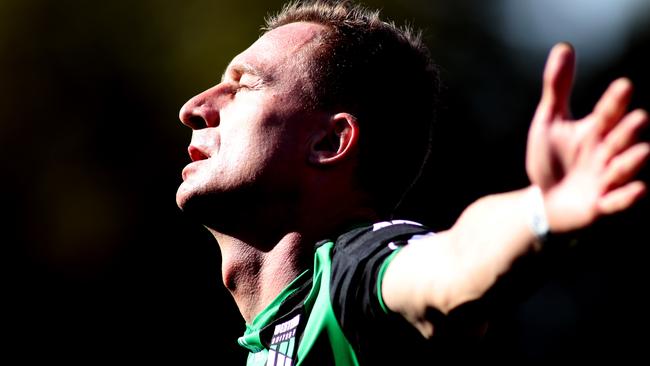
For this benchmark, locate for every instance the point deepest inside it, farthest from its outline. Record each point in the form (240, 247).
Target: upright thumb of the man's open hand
(558, 80)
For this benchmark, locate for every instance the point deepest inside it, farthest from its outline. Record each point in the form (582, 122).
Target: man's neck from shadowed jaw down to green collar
(258, 264)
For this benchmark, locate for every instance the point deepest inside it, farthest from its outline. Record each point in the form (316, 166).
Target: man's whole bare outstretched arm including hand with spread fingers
(580, 170)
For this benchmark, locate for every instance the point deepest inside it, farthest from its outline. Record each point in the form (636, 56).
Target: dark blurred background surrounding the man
(101, 266)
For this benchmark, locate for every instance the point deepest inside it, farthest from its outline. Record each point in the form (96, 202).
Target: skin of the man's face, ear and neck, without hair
(259, 177)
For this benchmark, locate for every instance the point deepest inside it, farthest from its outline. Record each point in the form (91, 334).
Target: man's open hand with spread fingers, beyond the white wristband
(584, 167)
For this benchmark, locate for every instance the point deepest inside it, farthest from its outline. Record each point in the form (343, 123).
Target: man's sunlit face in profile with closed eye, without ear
(250, 132)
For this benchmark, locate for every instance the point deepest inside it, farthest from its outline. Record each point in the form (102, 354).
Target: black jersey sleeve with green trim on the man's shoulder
(358, 260)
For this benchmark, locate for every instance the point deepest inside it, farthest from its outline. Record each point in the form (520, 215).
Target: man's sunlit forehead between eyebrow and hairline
(277, 50)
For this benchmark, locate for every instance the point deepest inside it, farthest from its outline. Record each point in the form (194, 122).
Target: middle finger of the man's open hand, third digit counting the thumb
(623, 134)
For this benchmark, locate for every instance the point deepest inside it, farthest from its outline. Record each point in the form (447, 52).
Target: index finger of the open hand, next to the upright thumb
(612, 105)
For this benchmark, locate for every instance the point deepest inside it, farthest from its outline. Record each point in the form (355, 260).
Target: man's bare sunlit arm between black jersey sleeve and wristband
(463, 264)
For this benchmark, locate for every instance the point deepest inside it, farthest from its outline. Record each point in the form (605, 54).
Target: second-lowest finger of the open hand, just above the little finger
(626, 165)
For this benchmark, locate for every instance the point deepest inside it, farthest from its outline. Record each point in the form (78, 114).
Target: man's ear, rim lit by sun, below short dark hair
(336, 141)
